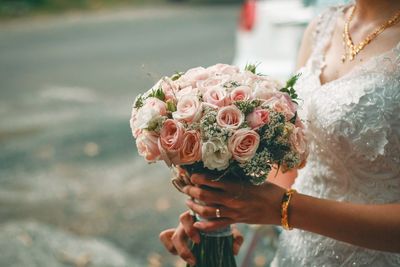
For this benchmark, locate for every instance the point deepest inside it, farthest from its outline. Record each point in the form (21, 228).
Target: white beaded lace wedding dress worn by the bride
(353, 125)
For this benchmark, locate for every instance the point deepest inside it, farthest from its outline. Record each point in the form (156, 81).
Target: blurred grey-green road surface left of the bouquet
(67, 160)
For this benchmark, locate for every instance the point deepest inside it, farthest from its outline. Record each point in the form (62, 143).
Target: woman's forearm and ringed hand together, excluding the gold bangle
(371, 226)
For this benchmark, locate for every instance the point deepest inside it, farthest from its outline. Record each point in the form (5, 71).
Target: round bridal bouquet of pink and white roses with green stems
(226, 123)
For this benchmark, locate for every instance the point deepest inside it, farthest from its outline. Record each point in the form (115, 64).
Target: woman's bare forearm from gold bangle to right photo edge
(370, 226)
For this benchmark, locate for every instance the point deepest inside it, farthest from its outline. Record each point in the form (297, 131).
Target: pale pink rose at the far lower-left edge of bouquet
(147, 144)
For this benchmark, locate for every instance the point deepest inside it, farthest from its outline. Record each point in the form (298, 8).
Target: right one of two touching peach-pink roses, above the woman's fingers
(190, 151)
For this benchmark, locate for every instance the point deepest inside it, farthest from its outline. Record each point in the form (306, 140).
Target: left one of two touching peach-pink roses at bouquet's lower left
(170, 141)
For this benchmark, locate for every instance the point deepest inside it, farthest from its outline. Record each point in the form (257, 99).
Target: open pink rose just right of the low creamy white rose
(243, 144)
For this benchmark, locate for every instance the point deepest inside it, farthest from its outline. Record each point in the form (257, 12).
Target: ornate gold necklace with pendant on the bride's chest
(351, 50)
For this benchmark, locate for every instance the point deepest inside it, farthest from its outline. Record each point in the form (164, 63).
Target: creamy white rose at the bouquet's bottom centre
(215, 154)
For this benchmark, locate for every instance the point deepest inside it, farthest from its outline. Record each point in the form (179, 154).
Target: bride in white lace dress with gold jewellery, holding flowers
(344, 205)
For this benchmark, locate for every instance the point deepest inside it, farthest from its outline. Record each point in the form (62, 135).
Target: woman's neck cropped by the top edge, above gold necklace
(374, 10)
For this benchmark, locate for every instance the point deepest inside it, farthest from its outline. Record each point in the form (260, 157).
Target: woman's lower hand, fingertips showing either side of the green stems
(175, 240)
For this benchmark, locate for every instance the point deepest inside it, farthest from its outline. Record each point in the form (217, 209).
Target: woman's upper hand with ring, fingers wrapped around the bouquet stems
(236, 202)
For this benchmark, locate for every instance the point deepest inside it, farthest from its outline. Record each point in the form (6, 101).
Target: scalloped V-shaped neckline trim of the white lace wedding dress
(353, 70)
